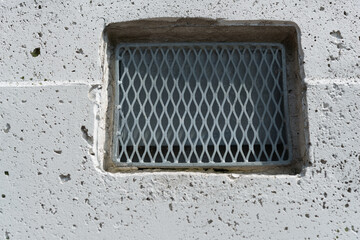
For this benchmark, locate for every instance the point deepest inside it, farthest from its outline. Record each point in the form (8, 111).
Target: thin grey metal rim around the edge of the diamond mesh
(199, 165)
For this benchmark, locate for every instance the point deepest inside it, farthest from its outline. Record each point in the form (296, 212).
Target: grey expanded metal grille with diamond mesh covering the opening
(201, 104)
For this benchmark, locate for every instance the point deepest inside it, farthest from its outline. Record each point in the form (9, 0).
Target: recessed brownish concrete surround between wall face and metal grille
(205, 30)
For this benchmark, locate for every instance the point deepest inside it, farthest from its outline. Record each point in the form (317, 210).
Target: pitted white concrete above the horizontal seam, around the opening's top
(68, 34)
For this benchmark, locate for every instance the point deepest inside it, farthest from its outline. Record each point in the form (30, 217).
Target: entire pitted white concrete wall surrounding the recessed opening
(53, 187)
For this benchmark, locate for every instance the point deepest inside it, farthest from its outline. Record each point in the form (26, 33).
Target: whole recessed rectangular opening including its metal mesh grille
(203, 93)
